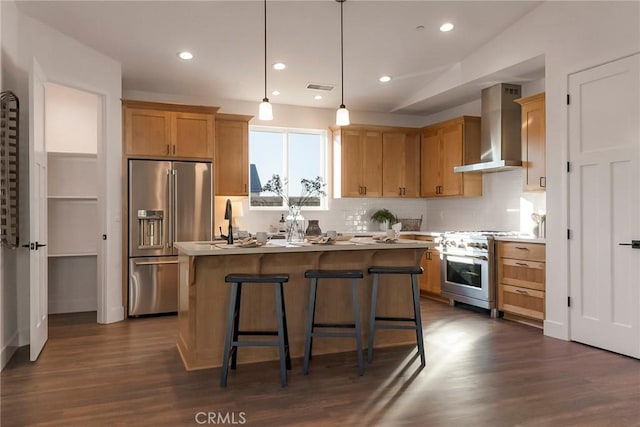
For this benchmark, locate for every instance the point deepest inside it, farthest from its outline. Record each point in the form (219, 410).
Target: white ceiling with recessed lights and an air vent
(227, 39)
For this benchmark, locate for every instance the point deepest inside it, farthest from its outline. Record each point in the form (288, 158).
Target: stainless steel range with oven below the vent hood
(468, 268)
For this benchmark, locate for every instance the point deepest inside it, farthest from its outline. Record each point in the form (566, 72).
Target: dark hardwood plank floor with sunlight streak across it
(480, 372)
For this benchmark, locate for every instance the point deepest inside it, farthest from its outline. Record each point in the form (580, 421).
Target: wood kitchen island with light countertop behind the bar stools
(203, 295)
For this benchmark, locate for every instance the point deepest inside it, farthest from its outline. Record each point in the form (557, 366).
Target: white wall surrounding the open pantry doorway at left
(69, 63)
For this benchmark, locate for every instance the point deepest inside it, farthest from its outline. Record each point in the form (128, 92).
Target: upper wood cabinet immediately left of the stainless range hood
(445, 145)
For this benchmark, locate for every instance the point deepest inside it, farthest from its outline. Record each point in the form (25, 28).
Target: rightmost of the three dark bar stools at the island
(416, 319)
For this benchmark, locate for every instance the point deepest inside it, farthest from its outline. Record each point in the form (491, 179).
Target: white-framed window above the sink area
(292, 154)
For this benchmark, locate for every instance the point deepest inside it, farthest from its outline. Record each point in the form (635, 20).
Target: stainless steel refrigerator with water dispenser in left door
(168, 202)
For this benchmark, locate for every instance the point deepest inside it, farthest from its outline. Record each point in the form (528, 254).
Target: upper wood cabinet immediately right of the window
(361, 160)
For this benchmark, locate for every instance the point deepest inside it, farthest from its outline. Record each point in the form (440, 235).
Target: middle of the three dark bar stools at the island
(314, 275)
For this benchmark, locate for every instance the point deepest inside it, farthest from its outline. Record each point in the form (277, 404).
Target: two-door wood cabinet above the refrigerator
(168, 130)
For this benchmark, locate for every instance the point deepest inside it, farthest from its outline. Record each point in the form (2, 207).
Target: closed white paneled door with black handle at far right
(604, 186)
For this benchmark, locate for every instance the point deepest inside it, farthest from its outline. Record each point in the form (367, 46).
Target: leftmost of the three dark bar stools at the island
(232, 343)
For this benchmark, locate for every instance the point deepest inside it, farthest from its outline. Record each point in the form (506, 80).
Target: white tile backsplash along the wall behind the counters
(502, 207)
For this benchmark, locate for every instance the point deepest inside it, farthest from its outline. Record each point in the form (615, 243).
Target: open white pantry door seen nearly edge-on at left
(37, 214)
